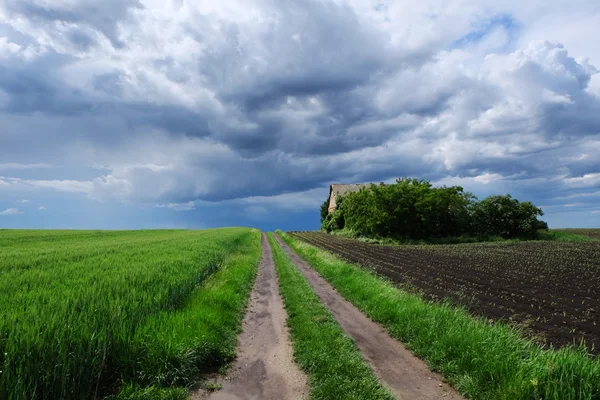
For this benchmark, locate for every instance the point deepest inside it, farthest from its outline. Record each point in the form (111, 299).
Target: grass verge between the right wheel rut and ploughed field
(482, 360)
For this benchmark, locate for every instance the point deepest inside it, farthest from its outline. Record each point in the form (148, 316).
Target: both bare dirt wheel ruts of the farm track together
(264, 368)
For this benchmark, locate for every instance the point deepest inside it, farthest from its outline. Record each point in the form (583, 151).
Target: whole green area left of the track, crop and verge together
(82, 312)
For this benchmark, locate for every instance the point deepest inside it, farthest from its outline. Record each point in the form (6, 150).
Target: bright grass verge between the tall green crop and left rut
(174, 347)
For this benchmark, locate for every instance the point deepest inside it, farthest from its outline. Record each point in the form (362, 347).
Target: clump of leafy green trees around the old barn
(415, 209)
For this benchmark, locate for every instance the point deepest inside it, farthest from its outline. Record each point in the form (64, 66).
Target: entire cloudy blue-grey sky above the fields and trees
(131, 114)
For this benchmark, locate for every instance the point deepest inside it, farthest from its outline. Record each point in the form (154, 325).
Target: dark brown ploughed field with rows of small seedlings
(552, 287)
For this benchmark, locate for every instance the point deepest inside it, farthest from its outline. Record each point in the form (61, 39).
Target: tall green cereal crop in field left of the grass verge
(73, 303)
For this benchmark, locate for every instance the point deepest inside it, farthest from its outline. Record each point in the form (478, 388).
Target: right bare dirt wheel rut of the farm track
(405, 375)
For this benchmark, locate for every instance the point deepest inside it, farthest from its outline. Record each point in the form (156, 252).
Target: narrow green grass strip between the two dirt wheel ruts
(335, 367)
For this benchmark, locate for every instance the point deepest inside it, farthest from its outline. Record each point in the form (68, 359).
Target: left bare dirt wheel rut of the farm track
(264, 368)
